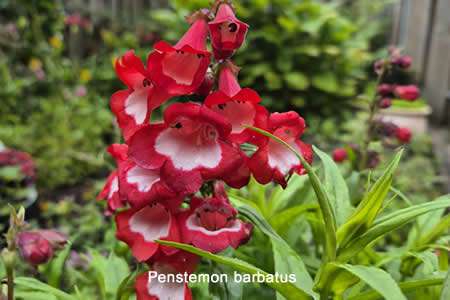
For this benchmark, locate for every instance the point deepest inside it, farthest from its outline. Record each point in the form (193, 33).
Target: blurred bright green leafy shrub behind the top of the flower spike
(299, 54)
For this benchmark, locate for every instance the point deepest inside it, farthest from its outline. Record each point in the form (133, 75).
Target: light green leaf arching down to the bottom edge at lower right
(377, 279)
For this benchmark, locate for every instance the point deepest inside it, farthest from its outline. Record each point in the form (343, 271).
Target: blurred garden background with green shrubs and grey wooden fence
(315, 57)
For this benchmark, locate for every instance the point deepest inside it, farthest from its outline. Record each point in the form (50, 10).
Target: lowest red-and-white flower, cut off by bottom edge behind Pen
(149, 287)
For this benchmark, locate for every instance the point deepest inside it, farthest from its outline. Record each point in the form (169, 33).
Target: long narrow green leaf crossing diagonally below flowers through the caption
(288, 290)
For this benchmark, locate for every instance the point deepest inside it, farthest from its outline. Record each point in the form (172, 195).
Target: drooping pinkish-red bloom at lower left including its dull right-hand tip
(37, 247)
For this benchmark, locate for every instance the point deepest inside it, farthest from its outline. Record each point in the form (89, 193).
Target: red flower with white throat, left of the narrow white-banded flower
(139, 228)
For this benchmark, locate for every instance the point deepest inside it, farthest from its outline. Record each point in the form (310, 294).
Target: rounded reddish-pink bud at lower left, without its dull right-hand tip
(34, 248)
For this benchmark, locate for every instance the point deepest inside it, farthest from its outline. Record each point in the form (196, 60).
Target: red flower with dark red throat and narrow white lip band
(211, 224)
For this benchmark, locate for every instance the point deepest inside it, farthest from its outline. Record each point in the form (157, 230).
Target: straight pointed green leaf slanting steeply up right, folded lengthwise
(368, 209)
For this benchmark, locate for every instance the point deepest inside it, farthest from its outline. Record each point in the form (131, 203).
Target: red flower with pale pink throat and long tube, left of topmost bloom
(180, 69)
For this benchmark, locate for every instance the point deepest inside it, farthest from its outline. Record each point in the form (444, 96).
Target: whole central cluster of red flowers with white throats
(169, 181)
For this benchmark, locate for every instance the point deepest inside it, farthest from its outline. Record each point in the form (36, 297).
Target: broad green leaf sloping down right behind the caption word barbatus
(287, 261)
